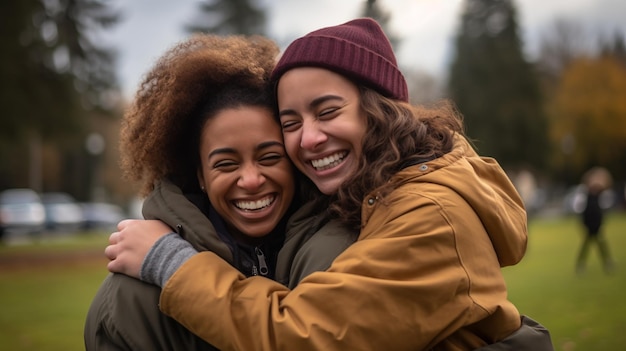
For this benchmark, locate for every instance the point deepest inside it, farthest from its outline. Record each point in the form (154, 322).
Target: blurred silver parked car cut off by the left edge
(21, 210)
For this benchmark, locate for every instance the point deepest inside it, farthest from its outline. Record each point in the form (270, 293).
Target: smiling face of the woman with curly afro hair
(245, 171)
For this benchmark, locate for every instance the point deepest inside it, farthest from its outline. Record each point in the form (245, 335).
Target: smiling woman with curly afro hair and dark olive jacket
(202, 140)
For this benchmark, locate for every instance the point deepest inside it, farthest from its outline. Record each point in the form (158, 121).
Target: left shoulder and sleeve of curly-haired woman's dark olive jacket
(124, 314)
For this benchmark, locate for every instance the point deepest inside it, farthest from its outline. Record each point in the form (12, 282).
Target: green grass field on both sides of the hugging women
(43, 304)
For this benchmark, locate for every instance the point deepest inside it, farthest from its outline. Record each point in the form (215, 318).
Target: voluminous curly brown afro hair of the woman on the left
(160, 132)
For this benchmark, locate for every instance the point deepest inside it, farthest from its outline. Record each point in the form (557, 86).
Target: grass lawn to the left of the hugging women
(45, 291)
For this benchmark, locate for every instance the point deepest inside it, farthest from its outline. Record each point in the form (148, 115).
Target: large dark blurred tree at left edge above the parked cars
(56, 74)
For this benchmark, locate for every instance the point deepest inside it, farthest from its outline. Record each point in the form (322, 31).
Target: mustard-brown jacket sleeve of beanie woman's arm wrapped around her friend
(401, 286)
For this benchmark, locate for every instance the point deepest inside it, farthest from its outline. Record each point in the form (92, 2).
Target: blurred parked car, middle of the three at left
(62, 212)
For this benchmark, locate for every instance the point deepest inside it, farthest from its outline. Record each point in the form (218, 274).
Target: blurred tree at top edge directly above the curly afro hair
(225, 17)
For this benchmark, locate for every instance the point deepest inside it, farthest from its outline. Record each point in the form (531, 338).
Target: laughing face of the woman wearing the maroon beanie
(323, 125)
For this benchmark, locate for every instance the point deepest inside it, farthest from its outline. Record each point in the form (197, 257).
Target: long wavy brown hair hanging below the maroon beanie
(398, 134)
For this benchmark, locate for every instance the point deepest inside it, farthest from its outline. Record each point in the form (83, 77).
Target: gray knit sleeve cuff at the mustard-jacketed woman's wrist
(164, 258)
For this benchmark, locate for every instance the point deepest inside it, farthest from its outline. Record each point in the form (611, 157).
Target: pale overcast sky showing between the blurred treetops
(426, 27)
